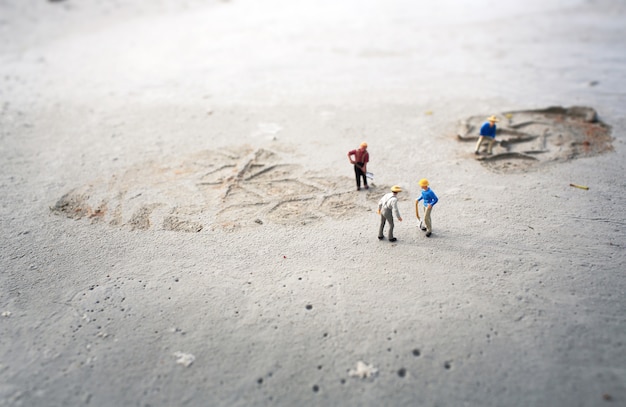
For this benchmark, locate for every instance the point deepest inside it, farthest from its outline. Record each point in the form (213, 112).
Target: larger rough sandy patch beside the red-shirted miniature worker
(241, 187)
